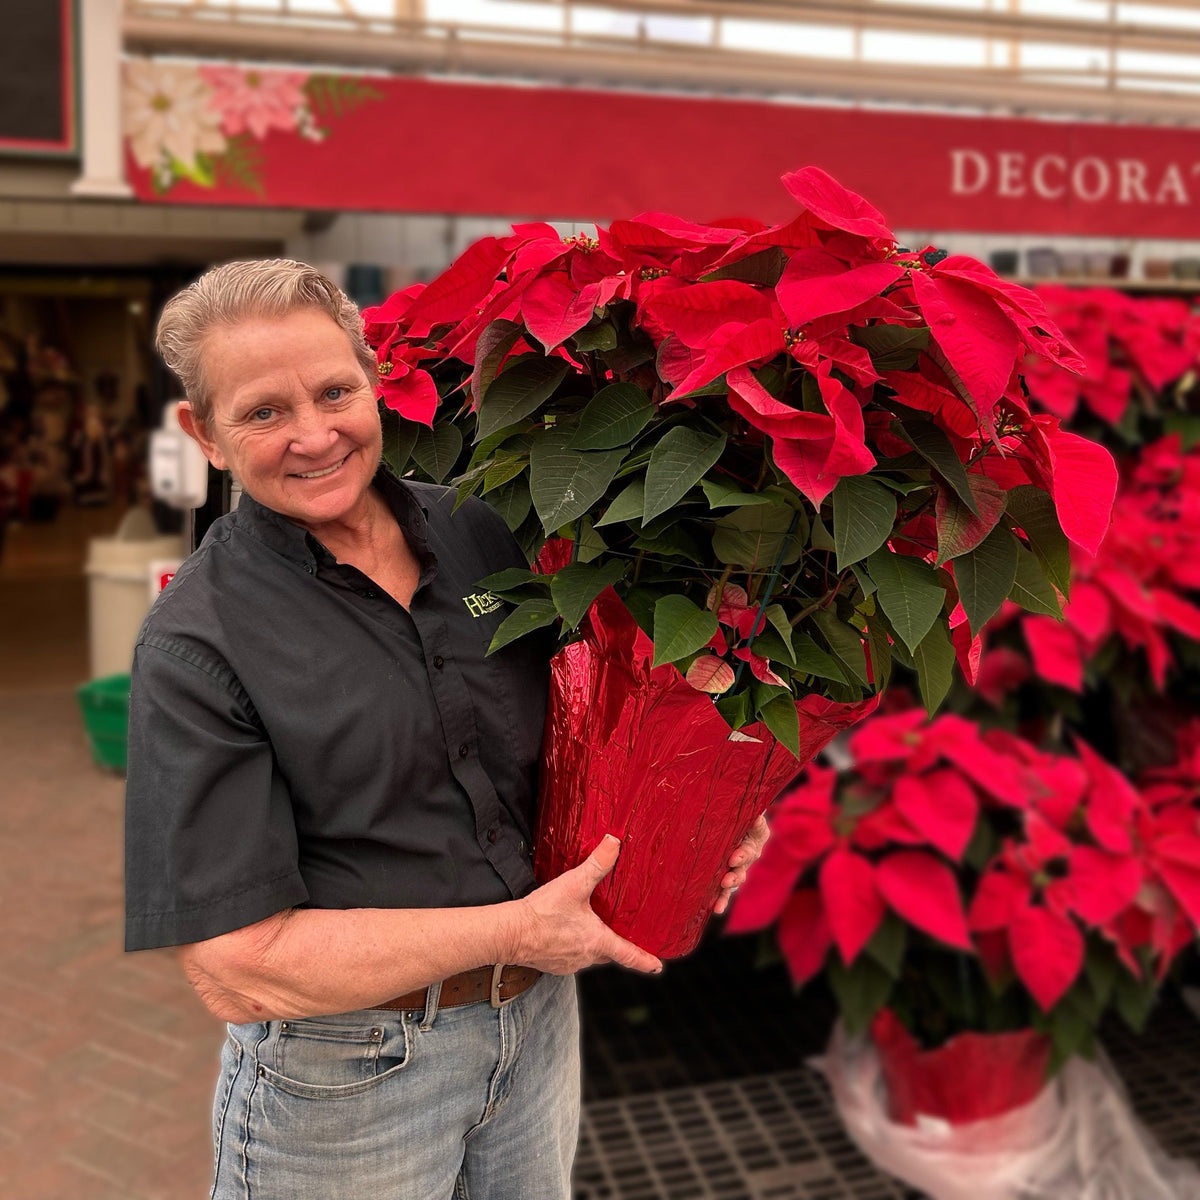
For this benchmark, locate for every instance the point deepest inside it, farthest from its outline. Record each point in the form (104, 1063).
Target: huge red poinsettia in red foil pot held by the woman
(752, 467)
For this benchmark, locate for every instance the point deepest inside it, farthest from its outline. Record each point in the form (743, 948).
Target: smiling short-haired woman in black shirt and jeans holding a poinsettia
(331, 790)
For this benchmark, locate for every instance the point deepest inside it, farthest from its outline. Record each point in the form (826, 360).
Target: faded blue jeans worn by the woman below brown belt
(472, 1103)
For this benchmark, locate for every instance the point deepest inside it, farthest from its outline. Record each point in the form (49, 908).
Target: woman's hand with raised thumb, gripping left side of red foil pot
(557, 932)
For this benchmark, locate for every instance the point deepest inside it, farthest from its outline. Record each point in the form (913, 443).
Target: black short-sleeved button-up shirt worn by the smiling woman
(297, 739)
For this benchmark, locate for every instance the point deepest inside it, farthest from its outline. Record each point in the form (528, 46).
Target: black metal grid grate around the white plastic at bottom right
(776, 1137)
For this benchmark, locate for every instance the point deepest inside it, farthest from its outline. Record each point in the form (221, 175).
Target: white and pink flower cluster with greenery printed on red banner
(207, 124)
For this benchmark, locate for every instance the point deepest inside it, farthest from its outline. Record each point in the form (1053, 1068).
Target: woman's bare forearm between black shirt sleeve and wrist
(316, 962)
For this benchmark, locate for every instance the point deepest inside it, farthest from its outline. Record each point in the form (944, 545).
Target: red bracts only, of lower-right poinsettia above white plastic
(1090, 853)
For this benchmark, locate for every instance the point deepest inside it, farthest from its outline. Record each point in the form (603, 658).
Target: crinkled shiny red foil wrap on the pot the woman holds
(637, 752)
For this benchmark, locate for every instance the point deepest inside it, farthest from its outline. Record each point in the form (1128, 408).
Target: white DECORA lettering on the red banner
(1013, 175)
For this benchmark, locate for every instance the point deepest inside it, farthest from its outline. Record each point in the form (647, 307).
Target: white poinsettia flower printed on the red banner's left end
(167, 115)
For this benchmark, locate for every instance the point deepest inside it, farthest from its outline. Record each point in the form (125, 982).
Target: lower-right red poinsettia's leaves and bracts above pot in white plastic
(970, 881)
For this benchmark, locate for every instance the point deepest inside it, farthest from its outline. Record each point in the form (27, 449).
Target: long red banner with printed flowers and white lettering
(295, 140)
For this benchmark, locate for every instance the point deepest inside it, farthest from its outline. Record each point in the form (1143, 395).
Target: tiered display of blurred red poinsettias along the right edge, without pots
(1033, 856)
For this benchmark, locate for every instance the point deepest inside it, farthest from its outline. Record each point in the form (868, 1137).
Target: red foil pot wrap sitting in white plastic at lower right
(970, 1078)
